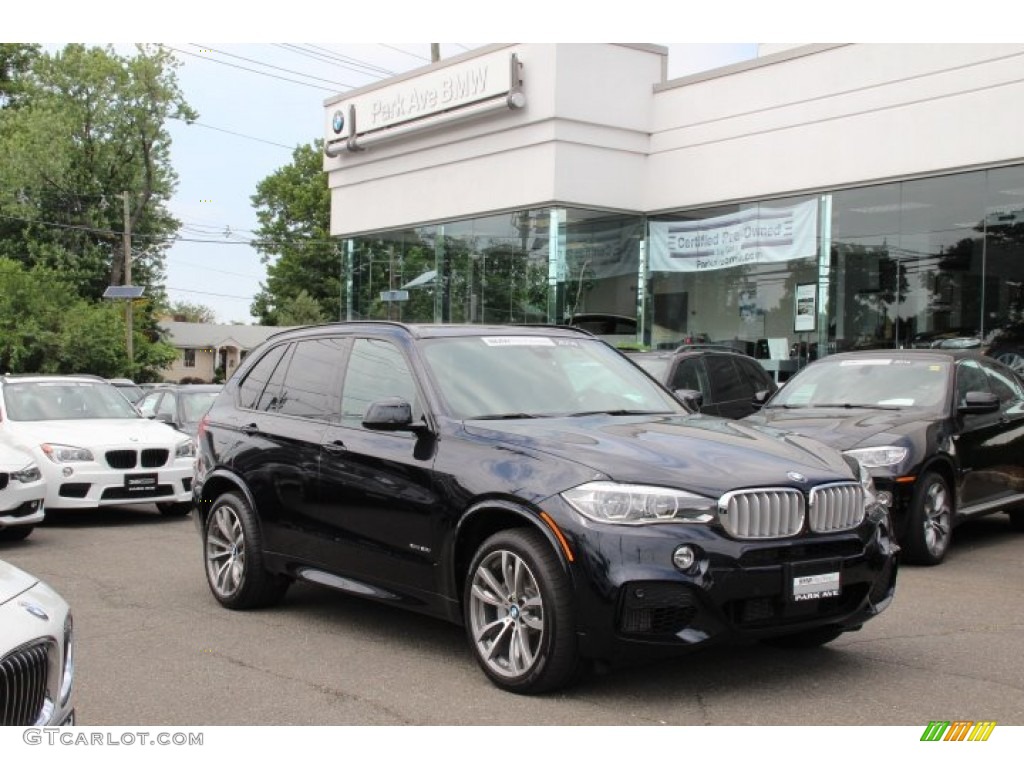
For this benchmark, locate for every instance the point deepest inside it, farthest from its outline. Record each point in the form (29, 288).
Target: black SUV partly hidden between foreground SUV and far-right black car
(715, 380)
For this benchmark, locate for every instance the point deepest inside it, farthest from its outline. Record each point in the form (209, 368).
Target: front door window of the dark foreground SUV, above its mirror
(376, 370)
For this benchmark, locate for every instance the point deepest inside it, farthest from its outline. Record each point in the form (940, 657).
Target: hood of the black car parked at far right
(844, 429)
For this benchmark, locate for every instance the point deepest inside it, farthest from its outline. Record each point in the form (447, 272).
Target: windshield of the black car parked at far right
(880, 382)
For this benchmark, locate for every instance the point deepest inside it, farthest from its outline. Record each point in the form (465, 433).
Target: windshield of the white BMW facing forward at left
(54, 401)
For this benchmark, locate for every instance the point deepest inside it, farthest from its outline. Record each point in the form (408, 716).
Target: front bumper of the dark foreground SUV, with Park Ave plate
(632, 600)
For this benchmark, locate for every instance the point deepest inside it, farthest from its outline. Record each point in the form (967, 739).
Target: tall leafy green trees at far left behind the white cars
(78, 129)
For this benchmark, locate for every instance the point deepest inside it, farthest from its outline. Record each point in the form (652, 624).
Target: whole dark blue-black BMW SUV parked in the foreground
(534, 486)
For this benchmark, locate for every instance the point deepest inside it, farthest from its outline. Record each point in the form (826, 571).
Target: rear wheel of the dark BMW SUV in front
(233, 551)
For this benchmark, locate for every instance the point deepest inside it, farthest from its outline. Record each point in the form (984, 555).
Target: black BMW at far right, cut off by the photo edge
(941, 431)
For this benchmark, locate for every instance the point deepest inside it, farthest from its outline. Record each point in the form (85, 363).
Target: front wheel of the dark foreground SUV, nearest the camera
(525, 643)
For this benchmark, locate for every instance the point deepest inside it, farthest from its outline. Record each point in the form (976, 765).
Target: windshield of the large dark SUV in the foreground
(511, 376)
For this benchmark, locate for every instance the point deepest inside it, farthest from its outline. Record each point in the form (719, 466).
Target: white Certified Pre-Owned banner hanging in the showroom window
(753, 237)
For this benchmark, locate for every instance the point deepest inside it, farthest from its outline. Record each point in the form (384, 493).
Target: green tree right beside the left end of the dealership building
(293, 237)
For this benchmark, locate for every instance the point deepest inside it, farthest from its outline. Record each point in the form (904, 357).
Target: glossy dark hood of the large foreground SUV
(702, 454)
